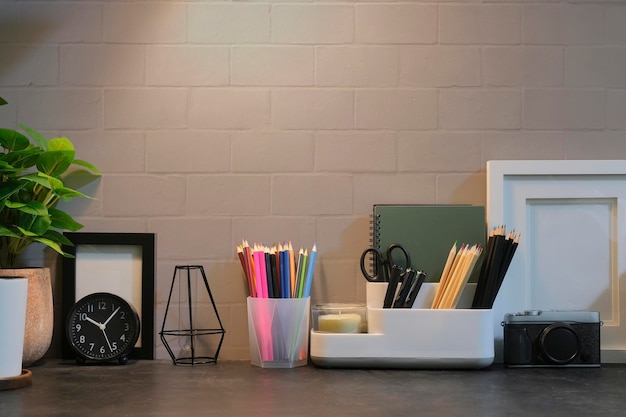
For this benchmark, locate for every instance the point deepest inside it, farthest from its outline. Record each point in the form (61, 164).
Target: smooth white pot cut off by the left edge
(13, 292)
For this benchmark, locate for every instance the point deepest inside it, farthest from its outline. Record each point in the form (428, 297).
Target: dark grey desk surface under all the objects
(158, 388)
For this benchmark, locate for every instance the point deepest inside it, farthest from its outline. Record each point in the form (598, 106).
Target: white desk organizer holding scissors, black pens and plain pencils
(411, 338)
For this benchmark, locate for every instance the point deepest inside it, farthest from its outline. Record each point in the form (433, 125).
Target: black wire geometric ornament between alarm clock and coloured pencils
(199, 345)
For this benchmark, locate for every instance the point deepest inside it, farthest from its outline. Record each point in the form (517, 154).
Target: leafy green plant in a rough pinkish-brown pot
(32, 173)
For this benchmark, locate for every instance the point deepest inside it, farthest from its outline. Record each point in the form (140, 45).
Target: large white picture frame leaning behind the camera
(572, 253)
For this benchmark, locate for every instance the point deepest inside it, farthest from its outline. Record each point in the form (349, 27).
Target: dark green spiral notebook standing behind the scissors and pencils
(428, 232)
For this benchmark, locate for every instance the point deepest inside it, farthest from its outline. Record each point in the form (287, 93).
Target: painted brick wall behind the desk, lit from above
(286, 120)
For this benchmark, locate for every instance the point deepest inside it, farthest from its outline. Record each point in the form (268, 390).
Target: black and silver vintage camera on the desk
(556, 338)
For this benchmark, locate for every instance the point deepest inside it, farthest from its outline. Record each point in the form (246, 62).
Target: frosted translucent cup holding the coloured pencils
(279, 331)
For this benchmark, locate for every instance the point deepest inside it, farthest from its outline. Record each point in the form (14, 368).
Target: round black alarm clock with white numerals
(102, 327)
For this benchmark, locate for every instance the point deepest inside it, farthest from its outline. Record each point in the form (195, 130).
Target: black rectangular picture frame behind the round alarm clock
(139, 244)
